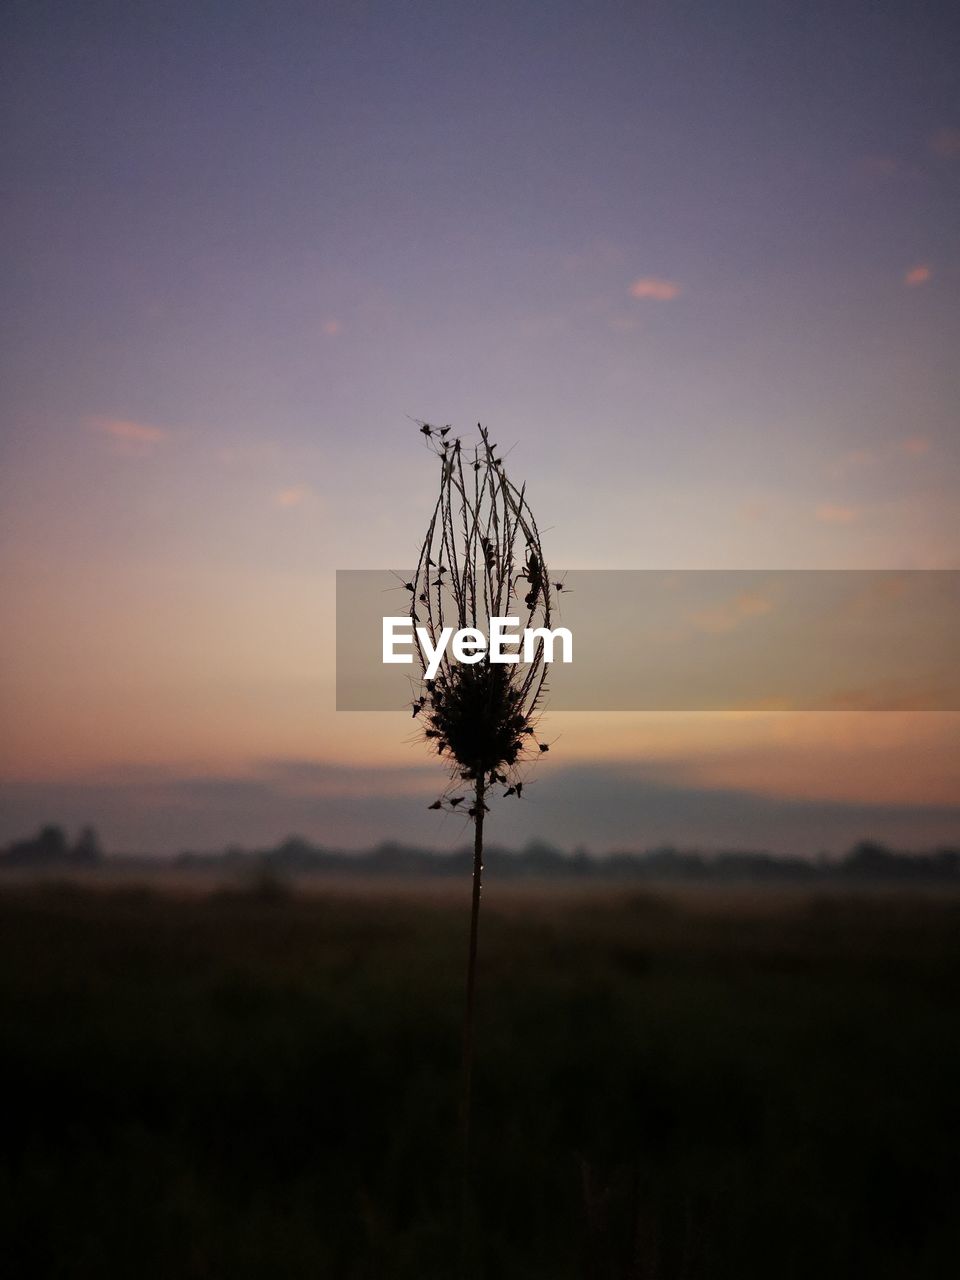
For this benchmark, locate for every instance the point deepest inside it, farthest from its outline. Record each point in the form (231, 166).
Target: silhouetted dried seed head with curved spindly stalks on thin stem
(481, 559)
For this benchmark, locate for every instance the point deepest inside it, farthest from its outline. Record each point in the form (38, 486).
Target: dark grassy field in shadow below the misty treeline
(259, 1085)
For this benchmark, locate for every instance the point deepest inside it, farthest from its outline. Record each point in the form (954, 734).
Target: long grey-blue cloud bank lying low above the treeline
(627, 806)
